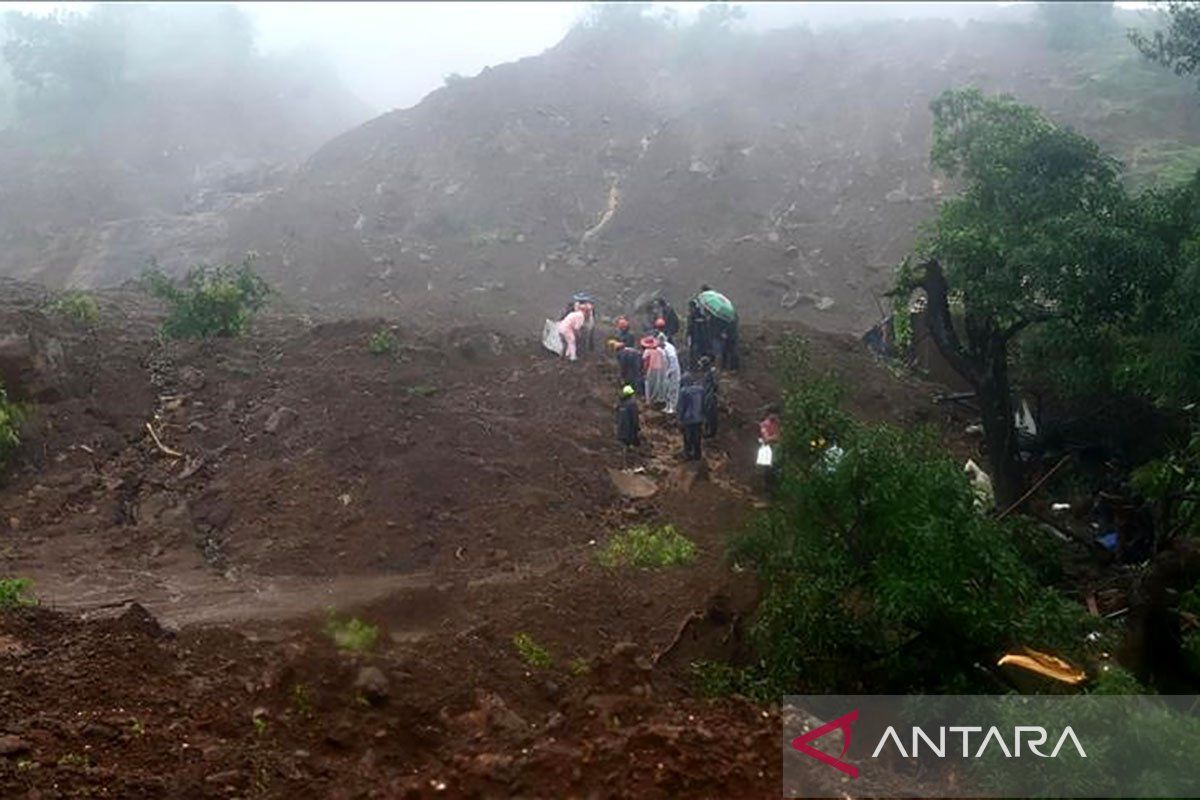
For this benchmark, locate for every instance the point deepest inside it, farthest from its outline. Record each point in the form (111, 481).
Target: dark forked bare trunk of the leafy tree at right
(983, 363)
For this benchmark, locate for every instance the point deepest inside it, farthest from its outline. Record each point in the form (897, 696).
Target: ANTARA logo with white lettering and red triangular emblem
(1033, 737)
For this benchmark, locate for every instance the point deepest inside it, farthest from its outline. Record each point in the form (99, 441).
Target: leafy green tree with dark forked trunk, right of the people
(1042, 232)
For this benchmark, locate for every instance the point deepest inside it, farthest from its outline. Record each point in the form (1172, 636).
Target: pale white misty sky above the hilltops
(392, 55)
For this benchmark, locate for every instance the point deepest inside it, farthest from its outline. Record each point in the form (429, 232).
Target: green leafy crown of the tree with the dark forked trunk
(1043, 228)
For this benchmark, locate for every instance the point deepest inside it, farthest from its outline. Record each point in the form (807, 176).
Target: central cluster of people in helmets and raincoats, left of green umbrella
(650, 368)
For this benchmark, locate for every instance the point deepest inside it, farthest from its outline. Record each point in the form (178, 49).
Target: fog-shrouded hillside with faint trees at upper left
(134, 125)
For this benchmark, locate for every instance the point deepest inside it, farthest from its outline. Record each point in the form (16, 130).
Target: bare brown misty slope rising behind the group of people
(788, 167)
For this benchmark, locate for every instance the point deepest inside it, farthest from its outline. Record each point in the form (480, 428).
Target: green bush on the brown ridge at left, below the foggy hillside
(211, 300)
